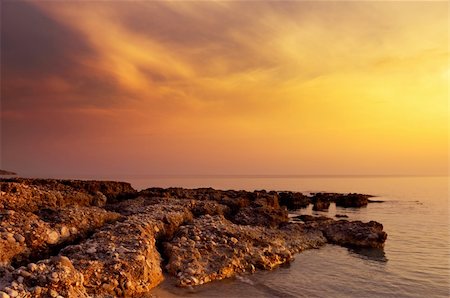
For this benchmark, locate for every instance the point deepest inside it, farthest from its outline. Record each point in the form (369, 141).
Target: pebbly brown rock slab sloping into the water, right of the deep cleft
(212, 248)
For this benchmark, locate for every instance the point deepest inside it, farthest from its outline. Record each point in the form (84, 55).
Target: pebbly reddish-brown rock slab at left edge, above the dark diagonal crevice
(27, 236)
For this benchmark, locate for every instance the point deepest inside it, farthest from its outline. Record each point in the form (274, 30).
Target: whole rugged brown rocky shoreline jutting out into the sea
(72, 238)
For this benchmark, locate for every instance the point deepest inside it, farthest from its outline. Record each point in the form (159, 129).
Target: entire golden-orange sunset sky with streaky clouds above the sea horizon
(224, 87)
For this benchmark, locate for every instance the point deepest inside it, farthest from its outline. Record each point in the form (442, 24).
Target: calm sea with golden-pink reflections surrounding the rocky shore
(414, 262)
